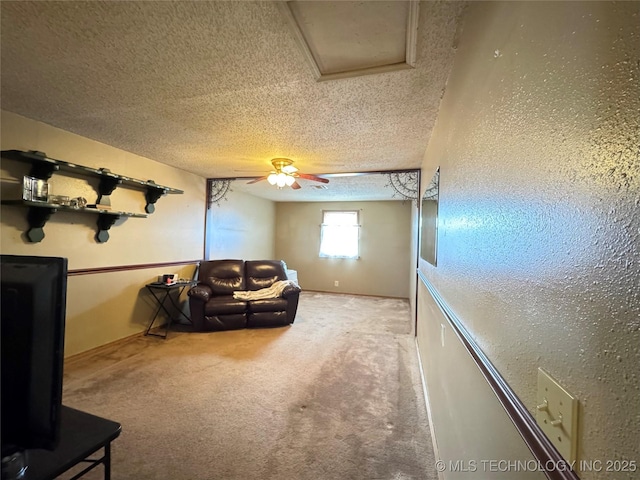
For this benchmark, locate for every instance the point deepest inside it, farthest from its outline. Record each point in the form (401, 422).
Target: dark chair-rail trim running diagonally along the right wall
(537, 442)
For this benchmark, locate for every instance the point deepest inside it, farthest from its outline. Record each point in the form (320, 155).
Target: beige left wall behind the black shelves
(104, 307)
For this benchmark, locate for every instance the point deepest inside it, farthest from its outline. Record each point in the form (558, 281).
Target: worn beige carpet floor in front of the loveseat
(337, 395)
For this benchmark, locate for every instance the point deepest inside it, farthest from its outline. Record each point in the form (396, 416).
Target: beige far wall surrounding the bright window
(386, 247)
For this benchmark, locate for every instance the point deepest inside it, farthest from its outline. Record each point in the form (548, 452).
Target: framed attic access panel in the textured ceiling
(346, 39)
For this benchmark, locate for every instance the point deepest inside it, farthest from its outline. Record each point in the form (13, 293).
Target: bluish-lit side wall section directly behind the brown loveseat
(242, 226)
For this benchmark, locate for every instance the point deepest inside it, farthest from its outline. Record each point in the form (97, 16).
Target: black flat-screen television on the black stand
(33, 300)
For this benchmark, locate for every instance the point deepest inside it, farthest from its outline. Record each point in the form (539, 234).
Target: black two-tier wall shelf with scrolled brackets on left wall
(43, 167)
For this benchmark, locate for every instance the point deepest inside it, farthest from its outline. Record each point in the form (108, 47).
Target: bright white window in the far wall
(339, 234)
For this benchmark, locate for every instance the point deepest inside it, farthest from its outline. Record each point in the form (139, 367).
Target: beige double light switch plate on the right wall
(557, 415)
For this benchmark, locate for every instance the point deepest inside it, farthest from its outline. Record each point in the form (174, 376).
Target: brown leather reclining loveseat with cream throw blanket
(214, 306)
